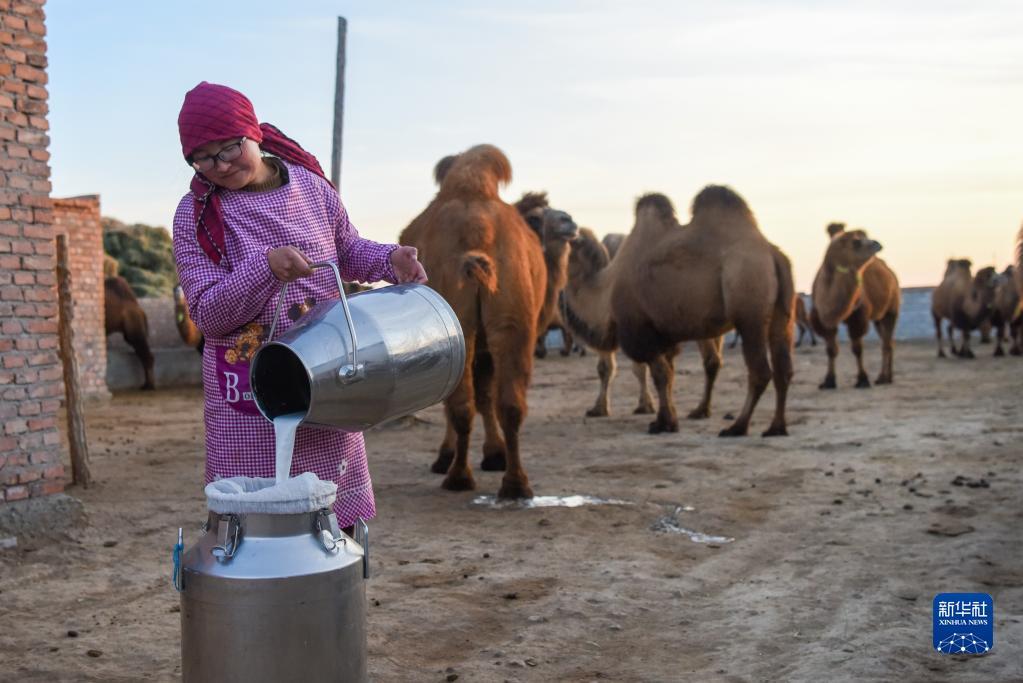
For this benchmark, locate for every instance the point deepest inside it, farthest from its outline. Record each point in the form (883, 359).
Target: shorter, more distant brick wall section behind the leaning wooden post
(79, 219)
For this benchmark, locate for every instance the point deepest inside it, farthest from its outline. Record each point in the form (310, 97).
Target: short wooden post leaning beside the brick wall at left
(73, 393)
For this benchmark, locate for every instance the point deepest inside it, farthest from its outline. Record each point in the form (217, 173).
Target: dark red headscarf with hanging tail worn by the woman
(213, 113)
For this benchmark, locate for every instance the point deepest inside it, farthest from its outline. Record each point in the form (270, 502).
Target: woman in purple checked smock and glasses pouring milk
(258, 214)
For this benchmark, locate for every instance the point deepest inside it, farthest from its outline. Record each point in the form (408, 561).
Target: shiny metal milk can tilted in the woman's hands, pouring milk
(352, 363)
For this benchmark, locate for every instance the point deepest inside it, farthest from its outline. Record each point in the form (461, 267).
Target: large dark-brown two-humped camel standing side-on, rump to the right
(722, 272)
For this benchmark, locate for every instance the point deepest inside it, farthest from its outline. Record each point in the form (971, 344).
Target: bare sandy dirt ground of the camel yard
(842, 534)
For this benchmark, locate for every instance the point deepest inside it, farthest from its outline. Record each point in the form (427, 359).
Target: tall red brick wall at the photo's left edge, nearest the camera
(31, 384)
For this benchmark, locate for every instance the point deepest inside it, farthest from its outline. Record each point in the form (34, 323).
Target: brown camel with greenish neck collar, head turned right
(856, 288)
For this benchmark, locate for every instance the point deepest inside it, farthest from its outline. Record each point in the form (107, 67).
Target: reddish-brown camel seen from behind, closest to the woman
(488, 265)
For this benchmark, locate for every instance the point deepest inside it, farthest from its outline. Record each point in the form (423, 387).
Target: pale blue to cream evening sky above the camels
(901, 118)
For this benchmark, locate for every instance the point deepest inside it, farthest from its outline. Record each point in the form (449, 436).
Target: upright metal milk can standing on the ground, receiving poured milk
(269, 599)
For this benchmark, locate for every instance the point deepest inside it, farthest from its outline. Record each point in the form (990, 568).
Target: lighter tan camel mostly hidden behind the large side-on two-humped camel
(590, 258)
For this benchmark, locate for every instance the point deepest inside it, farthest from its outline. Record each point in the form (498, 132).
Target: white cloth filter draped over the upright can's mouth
(244, 495)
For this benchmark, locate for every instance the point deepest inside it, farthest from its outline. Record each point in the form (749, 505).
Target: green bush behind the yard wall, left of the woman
(145, 256)
